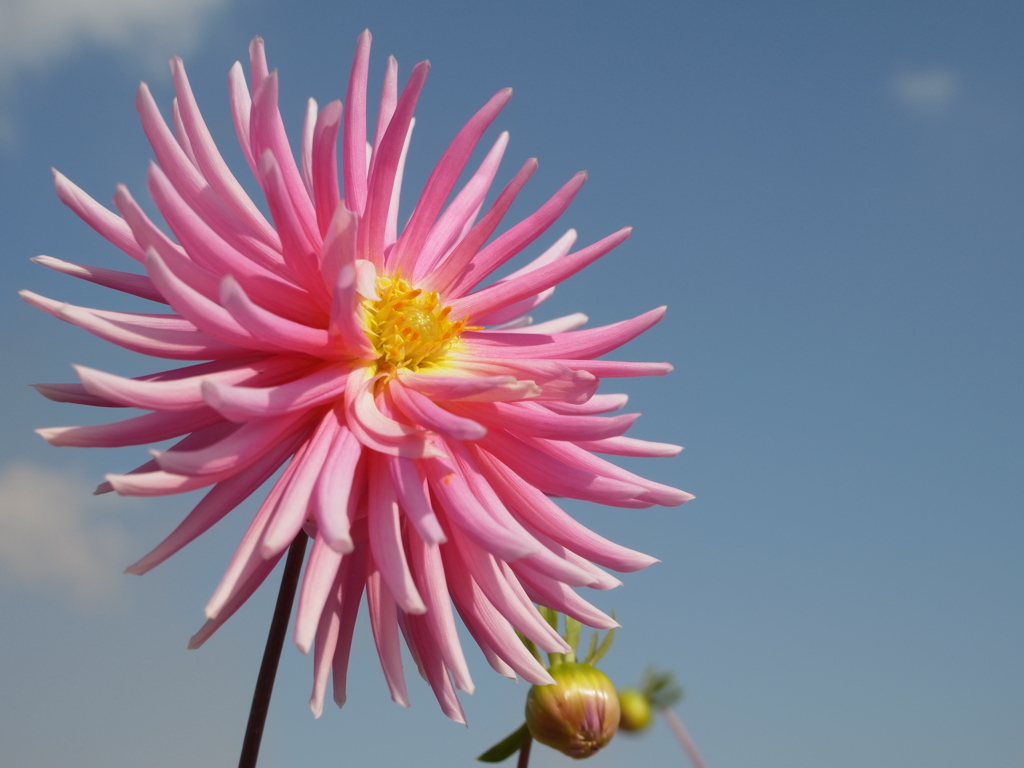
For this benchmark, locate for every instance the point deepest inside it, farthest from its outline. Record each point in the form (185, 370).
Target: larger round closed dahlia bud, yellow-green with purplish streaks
(578, 715)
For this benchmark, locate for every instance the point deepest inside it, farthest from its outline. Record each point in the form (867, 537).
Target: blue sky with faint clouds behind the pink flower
(828, 197)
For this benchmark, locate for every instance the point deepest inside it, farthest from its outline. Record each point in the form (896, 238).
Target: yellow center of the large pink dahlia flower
(409, 328)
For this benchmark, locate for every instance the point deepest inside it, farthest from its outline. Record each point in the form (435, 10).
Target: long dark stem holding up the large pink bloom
(272, 655)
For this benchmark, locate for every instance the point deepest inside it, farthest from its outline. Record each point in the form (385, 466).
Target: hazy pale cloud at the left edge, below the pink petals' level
(50, 535)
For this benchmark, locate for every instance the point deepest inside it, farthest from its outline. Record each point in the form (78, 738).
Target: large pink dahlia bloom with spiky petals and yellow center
(423, 423)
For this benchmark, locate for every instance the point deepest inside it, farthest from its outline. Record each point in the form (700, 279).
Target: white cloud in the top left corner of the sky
(36, 34)
